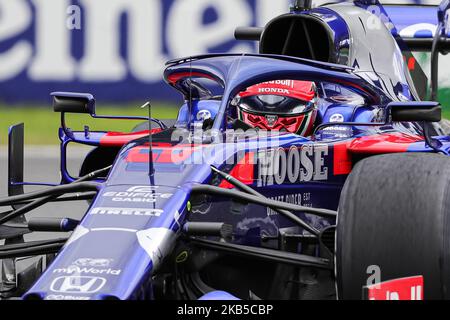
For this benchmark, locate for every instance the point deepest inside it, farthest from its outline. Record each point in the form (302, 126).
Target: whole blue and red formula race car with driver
(313, 170)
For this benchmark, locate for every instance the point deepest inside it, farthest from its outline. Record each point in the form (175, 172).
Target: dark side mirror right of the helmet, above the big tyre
(428, 111)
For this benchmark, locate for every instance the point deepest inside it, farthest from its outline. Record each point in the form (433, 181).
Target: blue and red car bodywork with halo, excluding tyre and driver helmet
(152, 219)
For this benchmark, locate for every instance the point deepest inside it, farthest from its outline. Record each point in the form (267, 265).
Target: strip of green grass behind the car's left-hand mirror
(41, 123)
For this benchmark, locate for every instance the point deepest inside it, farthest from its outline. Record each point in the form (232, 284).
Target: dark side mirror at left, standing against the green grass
(73, 102)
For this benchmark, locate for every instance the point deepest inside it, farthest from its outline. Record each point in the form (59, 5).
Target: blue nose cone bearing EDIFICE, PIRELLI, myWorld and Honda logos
(121, 241)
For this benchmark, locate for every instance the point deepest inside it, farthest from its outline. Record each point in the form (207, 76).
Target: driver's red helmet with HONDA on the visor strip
(281, 105)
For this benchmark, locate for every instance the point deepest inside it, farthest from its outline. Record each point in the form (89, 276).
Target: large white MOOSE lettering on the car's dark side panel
(297, 164)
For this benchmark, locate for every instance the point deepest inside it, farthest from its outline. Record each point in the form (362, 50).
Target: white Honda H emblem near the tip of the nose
(77, 284)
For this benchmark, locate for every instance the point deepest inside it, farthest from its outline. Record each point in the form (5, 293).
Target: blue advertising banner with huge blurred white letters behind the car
(116, 49)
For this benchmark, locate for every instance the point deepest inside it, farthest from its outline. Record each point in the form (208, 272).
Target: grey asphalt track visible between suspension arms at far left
(42, 165)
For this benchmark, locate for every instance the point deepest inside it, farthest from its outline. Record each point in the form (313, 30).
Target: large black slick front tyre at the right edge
(394, 213)
